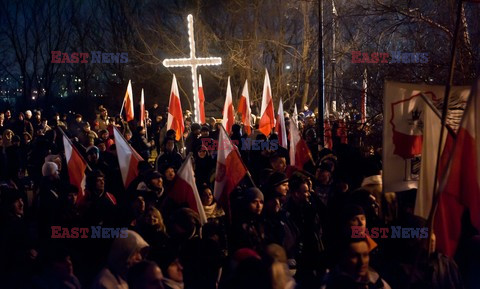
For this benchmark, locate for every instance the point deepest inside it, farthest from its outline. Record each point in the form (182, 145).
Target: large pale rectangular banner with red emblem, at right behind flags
(403, 130)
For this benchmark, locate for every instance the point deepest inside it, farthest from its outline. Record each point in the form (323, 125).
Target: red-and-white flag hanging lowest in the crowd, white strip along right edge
(184, 189)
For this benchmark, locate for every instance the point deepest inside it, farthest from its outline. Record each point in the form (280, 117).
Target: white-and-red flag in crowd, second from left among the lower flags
(128, 158)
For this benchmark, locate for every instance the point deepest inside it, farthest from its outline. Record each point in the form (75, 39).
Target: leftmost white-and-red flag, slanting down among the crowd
(76, 167)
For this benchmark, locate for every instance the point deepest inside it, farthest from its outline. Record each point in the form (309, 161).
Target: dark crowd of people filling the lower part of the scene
(280, 229)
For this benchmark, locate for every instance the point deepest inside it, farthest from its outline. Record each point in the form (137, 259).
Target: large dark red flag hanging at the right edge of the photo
(460, 181)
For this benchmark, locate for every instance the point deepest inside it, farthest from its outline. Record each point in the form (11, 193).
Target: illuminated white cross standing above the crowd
(193, 62)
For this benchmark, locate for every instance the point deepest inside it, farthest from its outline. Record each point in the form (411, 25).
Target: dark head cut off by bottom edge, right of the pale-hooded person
(145, 275)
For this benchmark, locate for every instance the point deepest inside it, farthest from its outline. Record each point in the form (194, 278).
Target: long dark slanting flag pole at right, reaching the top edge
(444, 119)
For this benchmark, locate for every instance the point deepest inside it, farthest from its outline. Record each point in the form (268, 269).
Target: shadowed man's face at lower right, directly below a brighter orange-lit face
(357, 259)
